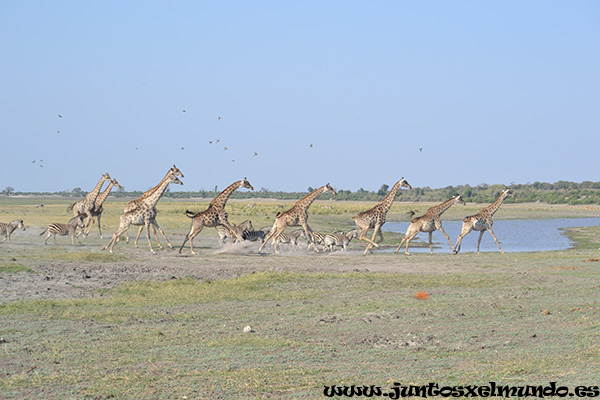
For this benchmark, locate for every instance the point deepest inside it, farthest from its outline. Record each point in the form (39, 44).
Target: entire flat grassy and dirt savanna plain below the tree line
(80, 323)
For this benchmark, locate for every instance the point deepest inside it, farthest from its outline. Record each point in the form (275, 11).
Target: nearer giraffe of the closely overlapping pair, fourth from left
(144, 214)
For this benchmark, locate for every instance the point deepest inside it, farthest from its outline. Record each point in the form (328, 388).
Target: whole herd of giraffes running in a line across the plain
(142, 212)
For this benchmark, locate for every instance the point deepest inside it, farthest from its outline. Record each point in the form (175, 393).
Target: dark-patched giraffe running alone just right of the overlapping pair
(214, 215)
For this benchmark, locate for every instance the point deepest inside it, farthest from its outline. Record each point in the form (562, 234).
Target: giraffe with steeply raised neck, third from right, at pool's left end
(375, 217)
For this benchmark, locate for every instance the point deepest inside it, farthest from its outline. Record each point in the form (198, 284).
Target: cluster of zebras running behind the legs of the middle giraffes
(327, 241)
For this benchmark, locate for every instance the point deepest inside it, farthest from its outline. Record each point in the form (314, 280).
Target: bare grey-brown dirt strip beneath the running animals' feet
(71, 272)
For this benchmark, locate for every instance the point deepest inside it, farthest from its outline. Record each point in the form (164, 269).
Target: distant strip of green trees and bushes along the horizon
(561, 192)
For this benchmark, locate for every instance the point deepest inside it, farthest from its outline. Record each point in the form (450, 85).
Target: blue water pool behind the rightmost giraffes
(515, 235)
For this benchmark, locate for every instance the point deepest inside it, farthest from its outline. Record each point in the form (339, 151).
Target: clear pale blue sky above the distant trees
(492, 91)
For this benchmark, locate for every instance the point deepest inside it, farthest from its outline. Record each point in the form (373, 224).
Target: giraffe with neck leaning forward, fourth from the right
(296, 216)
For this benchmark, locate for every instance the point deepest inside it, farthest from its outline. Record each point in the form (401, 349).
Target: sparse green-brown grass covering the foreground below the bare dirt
(184, 337)
